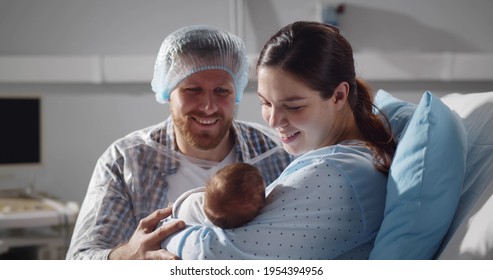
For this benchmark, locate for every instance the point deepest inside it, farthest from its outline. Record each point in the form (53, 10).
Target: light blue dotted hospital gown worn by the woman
(327, 204)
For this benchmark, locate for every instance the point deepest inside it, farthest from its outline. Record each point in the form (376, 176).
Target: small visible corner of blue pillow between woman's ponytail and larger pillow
(398, 112)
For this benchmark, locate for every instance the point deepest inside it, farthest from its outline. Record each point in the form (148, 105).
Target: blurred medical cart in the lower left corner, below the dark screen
(34, 226)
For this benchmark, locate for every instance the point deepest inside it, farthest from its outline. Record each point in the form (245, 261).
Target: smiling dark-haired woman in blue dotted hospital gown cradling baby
(329, 202)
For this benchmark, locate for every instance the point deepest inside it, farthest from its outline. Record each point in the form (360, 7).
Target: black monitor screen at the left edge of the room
(20, 140)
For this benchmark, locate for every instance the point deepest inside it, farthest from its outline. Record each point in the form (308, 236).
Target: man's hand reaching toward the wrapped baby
(145, 242)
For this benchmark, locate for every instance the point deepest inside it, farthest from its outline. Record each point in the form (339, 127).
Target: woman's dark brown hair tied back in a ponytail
(319, 56)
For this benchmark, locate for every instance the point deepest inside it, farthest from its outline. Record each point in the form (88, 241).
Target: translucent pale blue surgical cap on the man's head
(195, 48)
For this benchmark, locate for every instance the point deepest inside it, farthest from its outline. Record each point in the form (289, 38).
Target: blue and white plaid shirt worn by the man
(130, 182)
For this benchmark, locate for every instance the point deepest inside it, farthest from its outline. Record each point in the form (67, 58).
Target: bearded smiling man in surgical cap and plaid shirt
(201, 72)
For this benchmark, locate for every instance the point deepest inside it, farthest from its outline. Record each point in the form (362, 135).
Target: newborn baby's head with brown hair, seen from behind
(234, 195)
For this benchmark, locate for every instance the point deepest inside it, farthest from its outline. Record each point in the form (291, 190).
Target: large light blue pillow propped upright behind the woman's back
(424, 183)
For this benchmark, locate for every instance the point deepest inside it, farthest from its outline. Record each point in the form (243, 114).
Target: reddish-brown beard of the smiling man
(202, 140)
